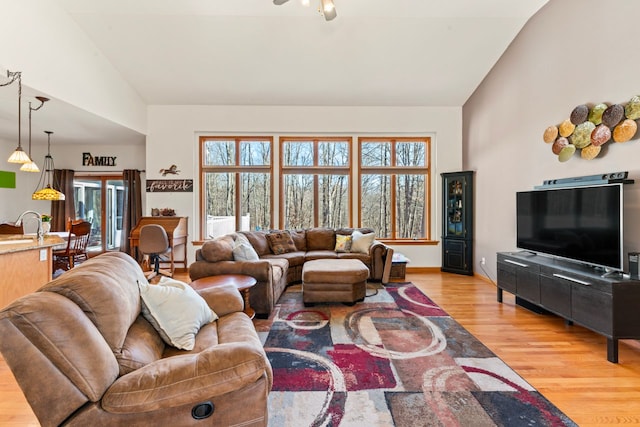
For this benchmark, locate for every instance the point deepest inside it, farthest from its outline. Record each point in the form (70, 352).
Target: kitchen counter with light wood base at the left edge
(25, 264)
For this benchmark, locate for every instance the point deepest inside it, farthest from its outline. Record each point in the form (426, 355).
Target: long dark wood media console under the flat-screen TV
(608, 305)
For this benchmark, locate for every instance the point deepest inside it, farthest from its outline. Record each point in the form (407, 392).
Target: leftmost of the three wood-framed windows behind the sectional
(236, 185)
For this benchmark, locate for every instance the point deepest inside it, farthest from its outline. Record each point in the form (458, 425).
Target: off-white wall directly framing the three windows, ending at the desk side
(174, 131)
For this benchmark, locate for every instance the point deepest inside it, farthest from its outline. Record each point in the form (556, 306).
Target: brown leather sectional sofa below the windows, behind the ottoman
(274, 272)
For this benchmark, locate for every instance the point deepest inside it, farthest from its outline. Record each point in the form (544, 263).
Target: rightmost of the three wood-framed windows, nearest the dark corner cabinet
(394, 187)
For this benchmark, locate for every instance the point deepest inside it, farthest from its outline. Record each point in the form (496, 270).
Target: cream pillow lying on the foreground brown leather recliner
(175, 310)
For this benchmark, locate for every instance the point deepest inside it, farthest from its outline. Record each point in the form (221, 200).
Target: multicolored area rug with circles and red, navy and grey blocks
(394, 359)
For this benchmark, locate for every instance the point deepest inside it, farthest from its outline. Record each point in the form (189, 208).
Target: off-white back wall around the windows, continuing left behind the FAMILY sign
(173, 139)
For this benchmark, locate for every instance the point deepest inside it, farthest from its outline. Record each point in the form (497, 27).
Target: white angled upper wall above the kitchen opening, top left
(40, 39)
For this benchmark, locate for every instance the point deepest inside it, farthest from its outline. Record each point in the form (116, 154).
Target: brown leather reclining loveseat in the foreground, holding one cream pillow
(84, 355)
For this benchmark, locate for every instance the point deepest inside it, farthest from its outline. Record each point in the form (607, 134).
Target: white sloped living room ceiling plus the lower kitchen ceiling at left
(252, 52)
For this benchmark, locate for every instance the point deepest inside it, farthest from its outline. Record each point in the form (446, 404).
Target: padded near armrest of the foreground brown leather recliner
(189, 378)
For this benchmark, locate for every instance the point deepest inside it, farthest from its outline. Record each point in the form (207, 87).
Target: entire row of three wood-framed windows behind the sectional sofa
(385, 187)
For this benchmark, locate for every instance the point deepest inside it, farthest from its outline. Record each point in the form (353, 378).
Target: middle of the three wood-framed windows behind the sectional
(315, 186)
